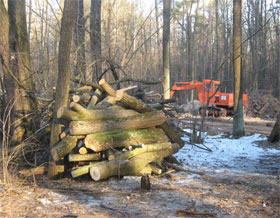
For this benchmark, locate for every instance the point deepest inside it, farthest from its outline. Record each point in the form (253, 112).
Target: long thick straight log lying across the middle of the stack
(138, 121)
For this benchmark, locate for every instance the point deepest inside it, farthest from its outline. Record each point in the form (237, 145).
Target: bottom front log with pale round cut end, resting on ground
(132, 167)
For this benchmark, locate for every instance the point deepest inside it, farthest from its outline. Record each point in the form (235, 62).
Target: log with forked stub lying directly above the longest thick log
(82, 113)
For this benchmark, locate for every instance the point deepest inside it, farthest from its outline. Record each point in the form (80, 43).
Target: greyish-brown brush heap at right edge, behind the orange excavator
(263, 104)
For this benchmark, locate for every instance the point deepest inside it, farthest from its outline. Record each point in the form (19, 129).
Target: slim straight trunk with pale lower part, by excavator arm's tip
(166, 48)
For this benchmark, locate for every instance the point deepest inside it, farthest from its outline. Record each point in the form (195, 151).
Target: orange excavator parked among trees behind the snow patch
(220, 104)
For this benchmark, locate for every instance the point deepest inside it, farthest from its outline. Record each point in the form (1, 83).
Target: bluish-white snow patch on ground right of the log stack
(238, 154)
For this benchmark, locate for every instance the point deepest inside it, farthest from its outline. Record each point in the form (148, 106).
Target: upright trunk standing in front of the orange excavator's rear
(238, 122)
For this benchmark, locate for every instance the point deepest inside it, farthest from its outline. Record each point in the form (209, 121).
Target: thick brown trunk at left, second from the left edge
(25, 103)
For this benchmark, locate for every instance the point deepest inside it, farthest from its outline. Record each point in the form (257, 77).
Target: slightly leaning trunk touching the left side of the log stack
(63, 82)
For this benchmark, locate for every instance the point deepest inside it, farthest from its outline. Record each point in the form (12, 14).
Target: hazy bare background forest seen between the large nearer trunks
(131, 37)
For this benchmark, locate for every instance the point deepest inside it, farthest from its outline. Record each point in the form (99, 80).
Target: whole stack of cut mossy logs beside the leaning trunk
(114, 135)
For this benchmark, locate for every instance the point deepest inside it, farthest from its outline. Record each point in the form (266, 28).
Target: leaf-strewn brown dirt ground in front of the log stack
(225, 192)
